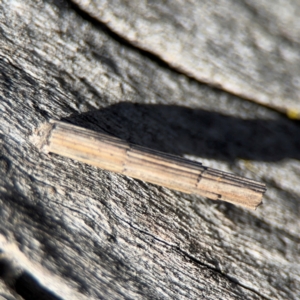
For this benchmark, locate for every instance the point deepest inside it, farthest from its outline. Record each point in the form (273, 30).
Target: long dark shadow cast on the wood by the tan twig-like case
(180, 130)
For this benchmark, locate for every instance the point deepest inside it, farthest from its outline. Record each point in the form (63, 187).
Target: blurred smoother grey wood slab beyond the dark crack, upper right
(248, 48)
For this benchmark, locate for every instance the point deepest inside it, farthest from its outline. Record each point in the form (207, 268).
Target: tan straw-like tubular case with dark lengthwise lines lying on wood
(113, 154)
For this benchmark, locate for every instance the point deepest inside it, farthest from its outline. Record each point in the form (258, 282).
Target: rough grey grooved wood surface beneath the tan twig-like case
(72, 231)
